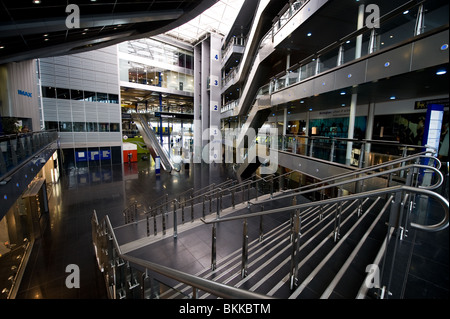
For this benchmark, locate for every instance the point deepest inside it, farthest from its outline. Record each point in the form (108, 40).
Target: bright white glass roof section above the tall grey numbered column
(219, 19)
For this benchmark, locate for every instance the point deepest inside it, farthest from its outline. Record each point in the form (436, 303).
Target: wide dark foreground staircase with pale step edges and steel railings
(279, 243)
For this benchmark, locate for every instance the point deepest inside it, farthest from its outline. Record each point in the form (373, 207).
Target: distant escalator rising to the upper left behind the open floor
(168, 163)
